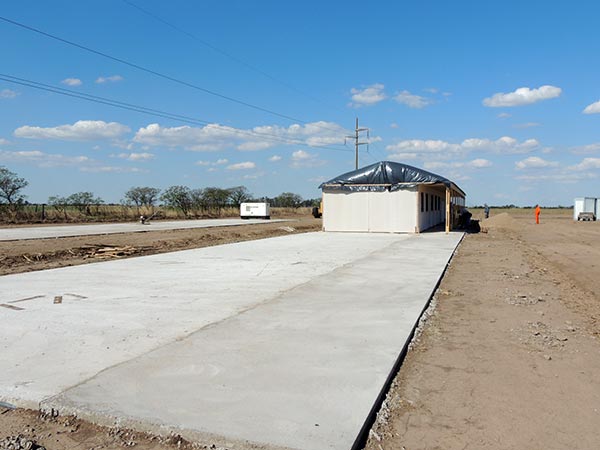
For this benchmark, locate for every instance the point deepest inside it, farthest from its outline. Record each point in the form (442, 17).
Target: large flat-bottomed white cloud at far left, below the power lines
(82, 130)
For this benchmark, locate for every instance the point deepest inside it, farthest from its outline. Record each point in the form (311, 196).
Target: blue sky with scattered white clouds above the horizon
(501, 97)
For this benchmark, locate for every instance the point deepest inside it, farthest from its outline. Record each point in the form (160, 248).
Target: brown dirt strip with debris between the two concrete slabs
(39, 254)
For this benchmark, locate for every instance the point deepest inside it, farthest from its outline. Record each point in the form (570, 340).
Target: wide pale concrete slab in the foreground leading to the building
(279, 343)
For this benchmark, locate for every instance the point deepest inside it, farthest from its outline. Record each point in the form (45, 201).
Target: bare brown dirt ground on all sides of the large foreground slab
(507, 360)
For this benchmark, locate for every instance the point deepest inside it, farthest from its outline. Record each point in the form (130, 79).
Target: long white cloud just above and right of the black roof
(444, 150)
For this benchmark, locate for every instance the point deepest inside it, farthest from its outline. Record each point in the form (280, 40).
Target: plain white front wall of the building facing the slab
(387, 212)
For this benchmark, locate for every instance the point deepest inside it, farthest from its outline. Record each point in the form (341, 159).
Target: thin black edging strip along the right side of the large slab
(363, 434)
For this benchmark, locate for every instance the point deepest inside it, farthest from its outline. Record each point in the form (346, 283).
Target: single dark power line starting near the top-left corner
(154, 72)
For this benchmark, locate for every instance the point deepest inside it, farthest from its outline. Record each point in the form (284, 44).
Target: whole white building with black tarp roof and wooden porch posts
(390, 197)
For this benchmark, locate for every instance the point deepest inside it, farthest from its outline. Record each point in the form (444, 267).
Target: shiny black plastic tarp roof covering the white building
(385, 175)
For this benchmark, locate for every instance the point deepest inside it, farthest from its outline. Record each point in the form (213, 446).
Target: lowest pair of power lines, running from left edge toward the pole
(151, 111)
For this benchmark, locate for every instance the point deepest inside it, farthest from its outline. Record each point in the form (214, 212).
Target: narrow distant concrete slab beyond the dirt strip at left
(15, 234)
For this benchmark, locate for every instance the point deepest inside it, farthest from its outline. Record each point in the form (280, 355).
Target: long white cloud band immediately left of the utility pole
(215, 137)
